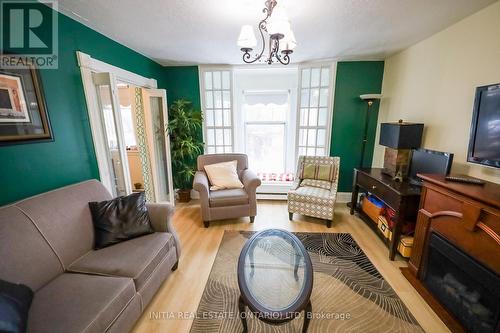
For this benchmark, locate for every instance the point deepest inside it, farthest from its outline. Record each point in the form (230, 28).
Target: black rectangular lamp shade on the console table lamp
(401, 135)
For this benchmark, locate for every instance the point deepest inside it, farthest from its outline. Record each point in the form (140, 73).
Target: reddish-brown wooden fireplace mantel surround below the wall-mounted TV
(467, 216)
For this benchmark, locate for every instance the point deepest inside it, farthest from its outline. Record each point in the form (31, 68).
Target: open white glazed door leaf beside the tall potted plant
(156, 114)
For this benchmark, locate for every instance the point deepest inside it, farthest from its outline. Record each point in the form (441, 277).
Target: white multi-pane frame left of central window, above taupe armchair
(201, 75)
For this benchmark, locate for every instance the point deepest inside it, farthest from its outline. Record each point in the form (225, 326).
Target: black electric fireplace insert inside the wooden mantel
(467, 289)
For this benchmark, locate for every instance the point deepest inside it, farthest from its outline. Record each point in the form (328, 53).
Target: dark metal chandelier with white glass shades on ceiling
(281, 39)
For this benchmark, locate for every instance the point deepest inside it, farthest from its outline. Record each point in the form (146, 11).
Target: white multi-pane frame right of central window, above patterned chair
(328, 127)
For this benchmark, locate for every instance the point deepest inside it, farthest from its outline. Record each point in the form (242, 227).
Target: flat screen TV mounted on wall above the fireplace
(484, 142)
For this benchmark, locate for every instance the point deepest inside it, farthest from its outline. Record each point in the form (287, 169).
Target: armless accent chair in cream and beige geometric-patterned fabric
(314, 190)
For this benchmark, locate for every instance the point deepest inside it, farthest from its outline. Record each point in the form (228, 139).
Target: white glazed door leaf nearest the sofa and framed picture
(118, 181)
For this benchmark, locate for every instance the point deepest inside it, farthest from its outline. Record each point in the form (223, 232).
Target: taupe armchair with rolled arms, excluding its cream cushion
(230, 203)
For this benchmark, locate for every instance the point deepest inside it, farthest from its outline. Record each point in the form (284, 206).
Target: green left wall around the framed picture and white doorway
(28, 169)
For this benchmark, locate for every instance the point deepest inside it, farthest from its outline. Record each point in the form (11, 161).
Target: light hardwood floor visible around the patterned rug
(177, 300)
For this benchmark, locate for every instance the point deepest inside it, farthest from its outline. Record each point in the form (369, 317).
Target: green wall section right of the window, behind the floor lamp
(354, 78)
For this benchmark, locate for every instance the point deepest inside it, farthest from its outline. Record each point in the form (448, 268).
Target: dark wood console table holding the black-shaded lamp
(403, 197)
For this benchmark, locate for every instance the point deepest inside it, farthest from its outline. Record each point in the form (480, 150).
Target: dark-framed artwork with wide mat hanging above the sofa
(23, 113)
